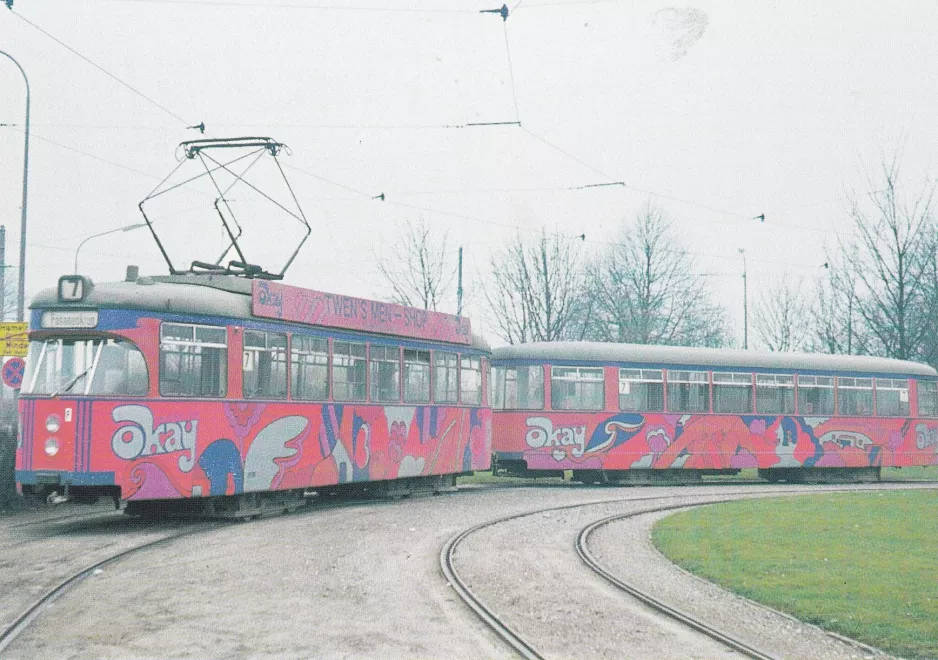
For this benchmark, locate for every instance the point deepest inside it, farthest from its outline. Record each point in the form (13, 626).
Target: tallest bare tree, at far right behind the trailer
(887, 265)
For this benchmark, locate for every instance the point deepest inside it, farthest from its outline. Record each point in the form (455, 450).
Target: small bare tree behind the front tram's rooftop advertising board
(420, 268)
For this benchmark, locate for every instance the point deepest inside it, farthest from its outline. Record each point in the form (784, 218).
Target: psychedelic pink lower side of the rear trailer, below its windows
(547, 440)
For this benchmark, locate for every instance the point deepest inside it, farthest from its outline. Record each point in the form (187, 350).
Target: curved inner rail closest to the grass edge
(582, 548)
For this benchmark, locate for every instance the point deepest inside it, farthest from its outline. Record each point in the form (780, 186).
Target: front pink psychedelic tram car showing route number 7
(233, 395)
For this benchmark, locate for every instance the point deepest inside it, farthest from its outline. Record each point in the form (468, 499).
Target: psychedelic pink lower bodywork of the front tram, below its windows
(170, 449)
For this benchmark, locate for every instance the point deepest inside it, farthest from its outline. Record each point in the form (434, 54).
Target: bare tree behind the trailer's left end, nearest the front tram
(535, 290)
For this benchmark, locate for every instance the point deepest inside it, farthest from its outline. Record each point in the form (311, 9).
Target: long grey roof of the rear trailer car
(577, 351)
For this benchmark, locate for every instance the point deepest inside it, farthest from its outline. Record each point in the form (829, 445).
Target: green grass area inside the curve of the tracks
(864, 565)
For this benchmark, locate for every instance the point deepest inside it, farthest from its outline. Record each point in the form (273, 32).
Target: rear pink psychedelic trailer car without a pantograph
(642, 414)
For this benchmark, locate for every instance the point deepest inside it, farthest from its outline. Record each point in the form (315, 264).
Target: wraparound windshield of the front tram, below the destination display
(85, 367)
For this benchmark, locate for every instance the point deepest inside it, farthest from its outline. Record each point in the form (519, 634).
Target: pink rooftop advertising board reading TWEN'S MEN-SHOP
(289, 303)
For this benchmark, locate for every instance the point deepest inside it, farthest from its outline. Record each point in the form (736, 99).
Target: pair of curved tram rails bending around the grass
(527, 648)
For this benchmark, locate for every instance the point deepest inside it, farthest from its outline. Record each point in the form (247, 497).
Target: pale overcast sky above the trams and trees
(716, 112)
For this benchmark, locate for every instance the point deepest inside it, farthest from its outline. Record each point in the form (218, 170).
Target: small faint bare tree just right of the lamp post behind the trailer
(782, 317)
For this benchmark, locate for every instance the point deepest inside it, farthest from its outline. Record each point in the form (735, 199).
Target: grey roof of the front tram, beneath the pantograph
(197, 294)
